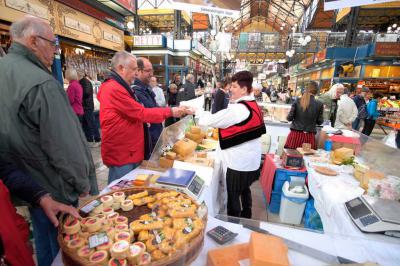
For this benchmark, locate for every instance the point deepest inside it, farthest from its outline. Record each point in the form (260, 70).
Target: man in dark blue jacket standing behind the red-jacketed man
(148, 98)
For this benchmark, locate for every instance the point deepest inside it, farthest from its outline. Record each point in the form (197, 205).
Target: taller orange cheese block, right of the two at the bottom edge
(267, 250)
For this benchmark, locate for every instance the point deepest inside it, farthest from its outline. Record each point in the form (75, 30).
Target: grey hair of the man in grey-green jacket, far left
(28, 26)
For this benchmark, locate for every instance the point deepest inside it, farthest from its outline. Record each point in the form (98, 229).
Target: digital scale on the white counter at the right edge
(375, 215)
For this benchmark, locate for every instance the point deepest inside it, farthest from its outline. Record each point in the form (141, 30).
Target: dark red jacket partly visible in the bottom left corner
(14, 232)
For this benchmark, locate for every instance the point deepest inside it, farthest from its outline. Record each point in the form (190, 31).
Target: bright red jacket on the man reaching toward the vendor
(121, 122)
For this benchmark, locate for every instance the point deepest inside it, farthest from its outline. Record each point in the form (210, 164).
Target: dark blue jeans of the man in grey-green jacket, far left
(45, 235)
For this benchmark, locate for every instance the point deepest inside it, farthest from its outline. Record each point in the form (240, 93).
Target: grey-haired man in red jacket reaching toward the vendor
(122, 118)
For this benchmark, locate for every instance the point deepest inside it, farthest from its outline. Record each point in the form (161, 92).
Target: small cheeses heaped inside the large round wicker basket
(171, 223)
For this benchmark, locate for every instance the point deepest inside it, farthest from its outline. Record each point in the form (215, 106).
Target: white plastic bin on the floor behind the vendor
(292, 205)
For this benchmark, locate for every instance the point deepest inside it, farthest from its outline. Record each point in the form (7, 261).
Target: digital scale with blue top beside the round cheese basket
(183, 181)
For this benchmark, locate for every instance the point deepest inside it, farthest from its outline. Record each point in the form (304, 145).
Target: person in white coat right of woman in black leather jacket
(347, 111)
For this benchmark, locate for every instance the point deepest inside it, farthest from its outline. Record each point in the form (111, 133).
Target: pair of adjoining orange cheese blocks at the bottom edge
(262, 250)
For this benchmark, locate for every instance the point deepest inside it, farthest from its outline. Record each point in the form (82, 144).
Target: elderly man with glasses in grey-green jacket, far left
(39, 130)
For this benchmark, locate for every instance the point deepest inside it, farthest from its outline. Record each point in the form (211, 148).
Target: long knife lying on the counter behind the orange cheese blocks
(309, 251)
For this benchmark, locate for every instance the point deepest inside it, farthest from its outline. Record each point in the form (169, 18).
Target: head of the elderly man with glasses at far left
(36, 35)
